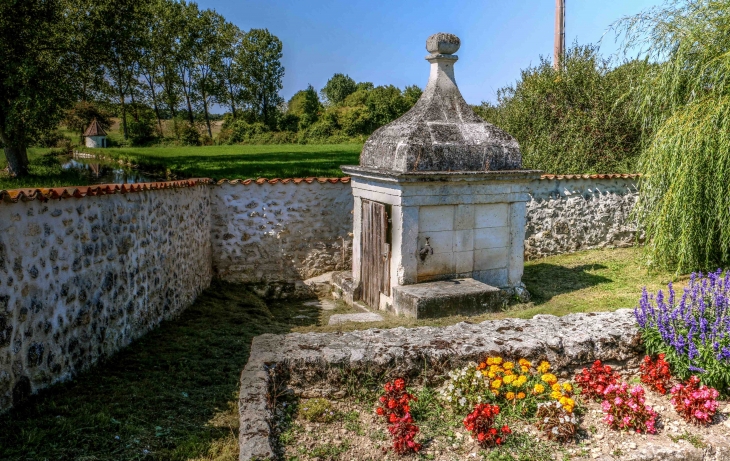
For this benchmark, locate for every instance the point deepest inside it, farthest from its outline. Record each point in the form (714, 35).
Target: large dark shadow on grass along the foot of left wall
(169, 396)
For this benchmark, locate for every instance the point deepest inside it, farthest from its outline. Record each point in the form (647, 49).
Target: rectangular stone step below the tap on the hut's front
(448, 297)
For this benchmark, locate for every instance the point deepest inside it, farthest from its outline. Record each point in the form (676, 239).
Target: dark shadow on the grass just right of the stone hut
(544, 280)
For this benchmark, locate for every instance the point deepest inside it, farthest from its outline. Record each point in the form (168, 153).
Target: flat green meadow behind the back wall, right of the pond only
(241, 162)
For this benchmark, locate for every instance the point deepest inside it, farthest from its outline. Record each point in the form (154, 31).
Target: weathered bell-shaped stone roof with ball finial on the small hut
(441, 132)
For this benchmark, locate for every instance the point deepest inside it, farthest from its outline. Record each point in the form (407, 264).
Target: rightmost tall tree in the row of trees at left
(260, 60)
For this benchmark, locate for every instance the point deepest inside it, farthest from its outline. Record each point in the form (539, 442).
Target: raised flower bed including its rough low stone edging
(465, 400)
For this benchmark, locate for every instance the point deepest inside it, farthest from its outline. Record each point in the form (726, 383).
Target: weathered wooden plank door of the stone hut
(375, 255)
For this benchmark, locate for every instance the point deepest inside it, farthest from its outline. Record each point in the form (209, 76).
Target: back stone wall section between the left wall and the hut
(274, 234)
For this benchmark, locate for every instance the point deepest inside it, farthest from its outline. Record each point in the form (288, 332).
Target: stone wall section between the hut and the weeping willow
(571, 213)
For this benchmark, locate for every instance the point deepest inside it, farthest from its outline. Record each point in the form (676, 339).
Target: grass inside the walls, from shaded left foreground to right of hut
(172, 395)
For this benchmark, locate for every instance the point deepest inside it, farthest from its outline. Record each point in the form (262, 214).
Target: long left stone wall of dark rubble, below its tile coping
(81, 278)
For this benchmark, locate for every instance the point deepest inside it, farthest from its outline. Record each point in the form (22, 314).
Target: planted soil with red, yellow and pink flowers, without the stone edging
(470, 416)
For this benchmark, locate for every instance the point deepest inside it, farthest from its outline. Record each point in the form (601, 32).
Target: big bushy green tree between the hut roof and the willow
(575, 120)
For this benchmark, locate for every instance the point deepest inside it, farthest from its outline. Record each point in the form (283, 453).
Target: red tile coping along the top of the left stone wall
(44, 194)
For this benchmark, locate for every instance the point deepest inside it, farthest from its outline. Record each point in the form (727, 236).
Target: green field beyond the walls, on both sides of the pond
(218, 162)
